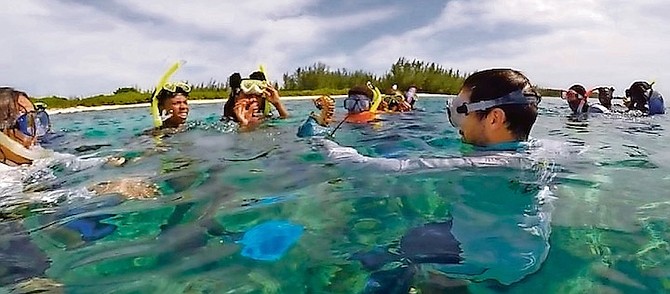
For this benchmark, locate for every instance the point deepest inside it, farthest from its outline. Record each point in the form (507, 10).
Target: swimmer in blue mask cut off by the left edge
(21, 124)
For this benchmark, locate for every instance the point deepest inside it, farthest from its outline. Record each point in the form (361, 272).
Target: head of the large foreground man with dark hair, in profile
(495, 106)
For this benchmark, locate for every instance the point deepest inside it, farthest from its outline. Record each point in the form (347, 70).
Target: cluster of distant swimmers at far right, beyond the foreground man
(640, 97)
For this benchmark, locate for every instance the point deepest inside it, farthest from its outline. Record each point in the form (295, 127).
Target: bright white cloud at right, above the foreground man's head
(593, 42)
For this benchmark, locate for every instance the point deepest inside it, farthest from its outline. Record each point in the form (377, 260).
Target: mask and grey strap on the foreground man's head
(457, 109)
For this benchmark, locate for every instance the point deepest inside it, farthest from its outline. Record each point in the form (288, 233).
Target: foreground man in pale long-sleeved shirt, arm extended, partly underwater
(495, 111)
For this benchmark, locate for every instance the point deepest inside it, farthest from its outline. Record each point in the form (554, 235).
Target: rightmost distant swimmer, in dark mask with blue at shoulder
(642, 97)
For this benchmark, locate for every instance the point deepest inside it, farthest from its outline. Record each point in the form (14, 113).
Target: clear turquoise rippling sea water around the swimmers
(609, 225)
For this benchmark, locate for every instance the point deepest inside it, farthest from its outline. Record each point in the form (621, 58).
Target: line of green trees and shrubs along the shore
(315, 79)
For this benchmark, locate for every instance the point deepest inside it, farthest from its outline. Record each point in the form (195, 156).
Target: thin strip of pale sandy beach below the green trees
(199, 101)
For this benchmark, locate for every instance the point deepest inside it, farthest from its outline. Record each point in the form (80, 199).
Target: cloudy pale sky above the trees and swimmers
(77, 48)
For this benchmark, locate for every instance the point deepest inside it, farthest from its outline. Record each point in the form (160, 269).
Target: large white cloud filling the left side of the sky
(66, 48)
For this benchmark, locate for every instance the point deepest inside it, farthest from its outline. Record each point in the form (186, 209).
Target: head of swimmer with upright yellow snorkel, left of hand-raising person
(173, 103)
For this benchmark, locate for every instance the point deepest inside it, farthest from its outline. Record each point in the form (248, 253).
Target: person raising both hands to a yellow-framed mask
(250, 100)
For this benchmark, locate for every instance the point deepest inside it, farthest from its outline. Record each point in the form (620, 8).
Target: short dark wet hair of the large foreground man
(494, 83)
